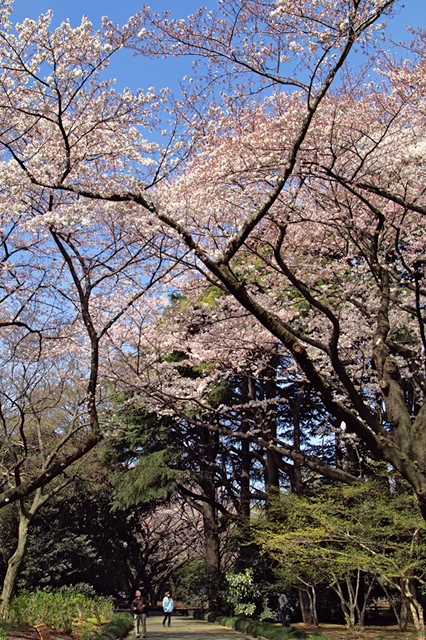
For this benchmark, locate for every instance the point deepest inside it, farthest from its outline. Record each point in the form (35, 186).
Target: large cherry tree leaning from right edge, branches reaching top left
(259, 189)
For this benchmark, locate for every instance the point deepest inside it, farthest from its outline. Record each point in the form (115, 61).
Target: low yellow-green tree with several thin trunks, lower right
(344, 534)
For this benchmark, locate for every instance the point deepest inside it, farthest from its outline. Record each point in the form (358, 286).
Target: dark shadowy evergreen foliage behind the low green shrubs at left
(79, 539)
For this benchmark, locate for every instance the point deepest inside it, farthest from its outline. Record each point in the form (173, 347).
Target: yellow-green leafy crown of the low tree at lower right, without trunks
(345, 527)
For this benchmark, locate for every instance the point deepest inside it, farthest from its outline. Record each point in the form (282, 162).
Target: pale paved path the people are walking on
(186, 629)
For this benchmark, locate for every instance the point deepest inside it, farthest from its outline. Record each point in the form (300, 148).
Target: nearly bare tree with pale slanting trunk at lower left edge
(35, 407)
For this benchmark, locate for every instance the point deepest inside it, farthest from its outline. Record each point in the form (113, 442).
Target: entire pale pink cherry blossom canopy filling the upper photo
(292, 193)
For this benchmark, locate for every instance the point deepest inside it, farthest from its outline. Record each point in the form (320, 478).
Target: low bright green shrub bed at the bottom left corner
(57, 610)
